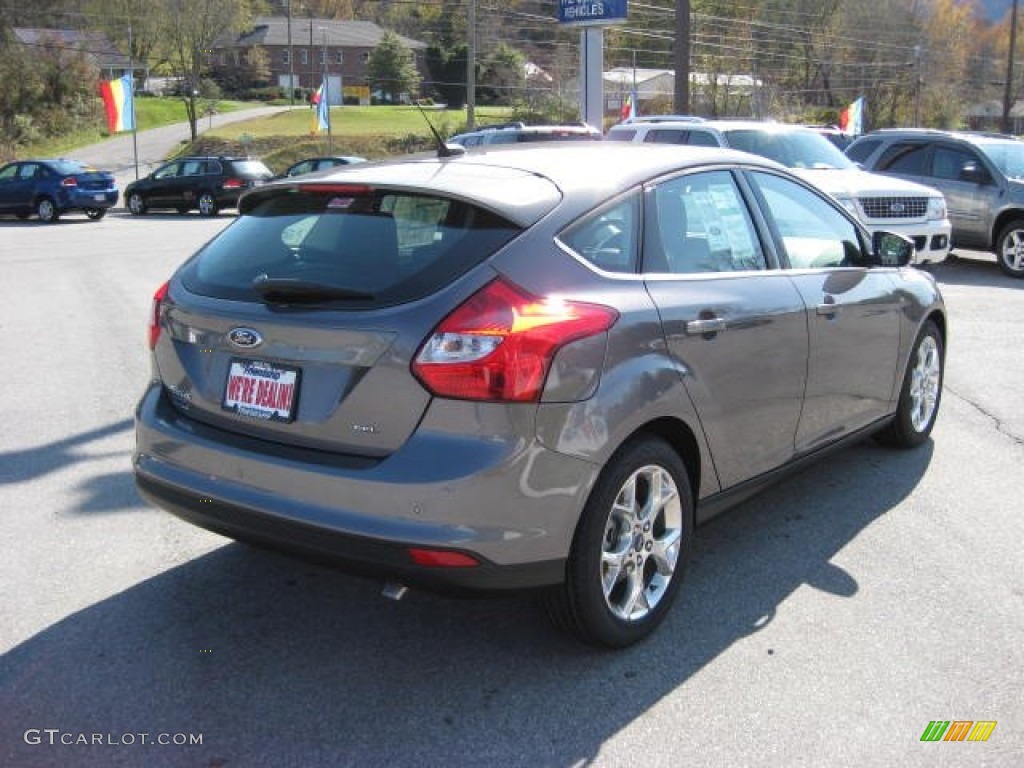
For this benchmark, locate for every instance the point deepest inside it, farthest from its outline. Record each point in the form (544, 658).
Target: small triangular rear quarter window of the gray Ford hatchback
(608, 238)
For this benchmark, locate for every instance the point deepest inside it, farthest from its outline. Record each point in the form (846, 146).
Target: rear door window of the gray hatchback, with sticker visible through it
(700, 224)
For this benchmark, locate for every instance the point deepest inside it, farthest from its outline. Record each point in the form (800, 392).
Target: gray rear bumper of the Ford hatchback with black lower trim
(511, 505)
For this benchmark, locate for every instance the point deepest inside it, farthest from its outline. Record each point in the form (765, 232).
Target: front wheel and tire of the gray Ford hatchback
(920, 396)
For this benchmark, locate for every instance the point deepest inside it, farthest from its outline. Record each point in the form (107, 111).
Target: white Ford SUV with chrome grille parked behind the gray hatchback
(881, 203)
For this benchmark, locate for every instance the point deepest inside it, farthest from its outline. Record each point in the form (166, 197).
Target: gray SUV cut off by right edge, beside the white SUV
(980, 175)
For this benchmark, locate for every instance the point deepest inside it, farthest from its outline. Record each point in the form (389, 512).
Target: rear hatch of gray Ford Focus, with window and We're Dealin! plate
(297, 325)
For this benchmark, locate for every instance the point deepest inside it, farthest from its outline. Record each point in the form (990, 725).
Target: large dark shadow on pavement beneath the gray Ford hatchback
(280, 663)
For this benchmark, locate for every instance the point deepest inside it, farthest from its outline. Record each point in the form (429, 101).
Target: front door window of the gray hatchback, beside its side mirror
(815, 234)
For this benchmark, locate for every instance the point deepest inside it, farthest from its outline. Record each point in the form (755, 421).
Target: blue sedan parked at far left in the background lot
(51, 188)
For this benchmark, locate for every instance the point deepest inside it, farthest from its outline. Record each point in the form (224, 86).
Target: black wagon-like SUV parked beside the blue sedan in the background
(204, 184)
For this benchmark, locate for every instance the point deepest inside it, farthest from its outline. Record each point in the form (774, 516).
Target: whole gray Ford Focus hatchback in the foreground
(537, 367)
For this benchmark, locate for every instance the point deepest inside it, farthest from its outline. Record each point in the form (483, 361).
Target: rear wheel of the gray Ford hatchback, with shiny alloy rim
(630, 549)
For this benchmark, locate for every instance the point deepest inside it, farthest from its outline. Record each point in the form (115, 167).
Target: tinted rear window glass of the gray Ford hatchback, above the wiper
(383, 247)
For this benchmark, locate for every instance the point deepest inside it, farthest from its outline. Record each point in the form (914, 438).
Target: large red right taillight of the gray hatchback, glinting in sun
(499, 345)
